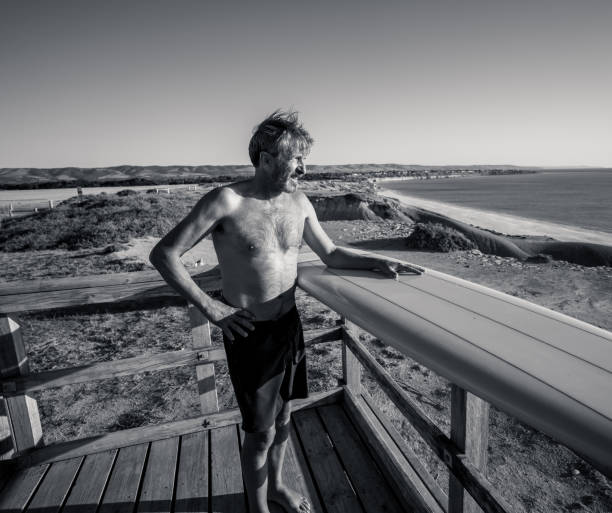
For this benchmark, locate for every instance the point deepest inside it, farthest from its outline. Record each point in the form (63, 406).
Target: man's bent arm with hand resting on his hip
(166, 254)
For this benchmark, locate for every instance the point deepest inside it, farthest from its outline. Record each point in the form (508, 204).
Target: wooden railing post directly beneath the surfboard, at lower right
(470, 432)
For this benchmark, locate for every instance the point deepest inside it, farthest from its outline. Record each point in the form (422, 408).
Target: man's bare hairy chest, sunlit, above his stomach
(255, 228)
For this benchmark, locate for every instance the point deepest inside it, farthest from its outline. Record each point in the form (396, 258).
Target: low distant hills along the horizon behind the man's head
(169, 174)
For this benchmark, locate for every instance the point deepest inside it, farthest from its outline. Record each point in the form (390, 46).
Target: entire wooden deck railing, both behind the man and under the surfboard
(464, 452)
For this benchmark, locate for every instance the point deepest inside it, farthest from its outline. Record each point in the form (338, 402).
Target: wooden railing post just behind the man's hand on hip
(205, 374)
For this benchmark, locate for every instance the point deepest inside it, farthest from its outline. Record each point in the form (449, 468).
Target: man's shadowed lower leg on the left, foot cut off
(254, 458)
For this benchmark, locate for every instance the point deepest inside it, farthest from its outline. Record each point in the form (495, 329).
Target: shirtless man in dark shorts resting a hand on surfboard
(257, 228)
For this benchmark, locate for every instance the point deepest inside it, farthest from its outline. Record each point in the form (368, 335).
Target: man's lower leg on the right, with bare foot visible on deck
(278, 491)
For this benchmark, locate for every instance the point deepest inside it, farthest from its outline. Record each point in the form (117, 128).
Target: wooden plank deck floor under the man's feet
(326, 460)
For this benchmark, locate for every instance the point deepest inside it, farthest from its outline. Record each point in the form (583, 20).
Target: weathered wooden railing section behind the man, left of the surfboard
(120, 292)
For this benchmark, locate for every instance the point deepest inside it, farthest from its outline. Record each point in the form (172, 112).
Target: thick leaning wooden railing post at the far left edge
(21, 412)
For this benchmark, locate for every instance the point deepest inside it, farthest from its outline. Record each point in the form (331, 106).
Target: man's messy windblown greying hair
(278, 133)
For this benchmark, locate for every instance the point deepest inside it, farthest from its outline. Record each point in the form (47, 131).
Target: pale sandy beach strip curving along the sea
(502, 223)
